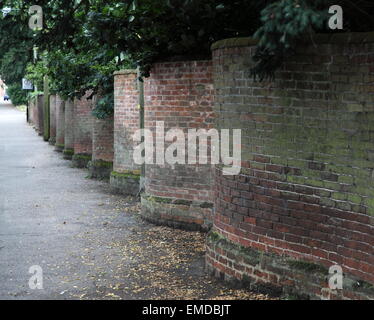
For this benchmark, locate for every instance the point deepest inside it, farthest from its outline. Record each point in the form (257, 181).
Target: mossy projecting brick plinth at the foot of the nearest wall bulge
(306, 274)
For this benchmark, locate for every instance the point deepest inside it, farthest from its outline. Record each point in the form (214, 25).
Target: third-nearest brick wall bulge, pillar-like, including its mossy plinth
(126, 174)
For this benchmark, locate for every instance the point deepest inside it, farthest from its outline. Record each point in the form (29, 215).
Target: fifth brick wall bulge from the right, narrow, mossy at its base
(83, 125)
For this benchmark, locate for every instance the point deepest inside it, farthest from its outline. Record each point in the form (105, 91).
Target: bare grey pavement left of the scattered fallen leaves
(42, 202)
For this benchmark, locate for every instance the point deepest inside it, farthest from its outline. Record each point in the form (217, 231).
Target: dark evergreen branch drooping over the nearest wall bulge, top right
(285, 22)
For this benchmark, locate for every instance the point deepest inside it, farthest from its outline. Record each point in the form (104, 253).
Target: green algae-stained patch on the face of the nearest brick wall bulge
(296, 141)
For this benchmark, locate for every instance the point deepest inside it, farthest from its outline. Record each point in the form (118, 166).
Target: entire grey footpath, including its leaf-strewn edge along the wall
(89, 243)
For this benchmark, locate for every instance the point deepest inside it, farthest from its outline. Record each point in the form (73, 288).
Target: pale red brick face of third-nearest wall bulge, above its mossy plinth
(126, 119)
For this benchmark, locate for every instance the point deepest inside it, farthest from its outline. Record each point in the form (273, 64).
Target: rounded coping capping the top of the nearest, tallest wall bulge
(328, 38)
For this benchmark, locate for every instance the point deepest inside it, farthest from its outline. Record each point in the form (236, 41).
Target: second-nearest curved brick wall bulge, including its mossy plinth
(181, 95)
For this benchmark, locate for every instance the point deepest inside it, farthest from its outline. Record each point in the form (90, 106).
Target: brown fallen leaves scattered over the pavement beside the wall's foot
(125, 257)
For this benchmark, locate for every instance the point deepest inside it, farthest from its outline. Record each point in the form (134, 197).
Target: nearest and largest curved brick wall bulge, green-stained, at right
(304, 198)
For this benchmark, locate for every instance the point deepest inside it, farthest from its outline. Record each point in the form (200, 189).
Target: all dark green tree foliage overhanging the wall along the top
(83, 41)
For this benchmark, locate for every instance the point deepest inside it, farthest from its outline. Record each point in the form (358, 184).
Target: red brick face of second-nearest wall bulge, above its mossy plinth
(181, 95)
